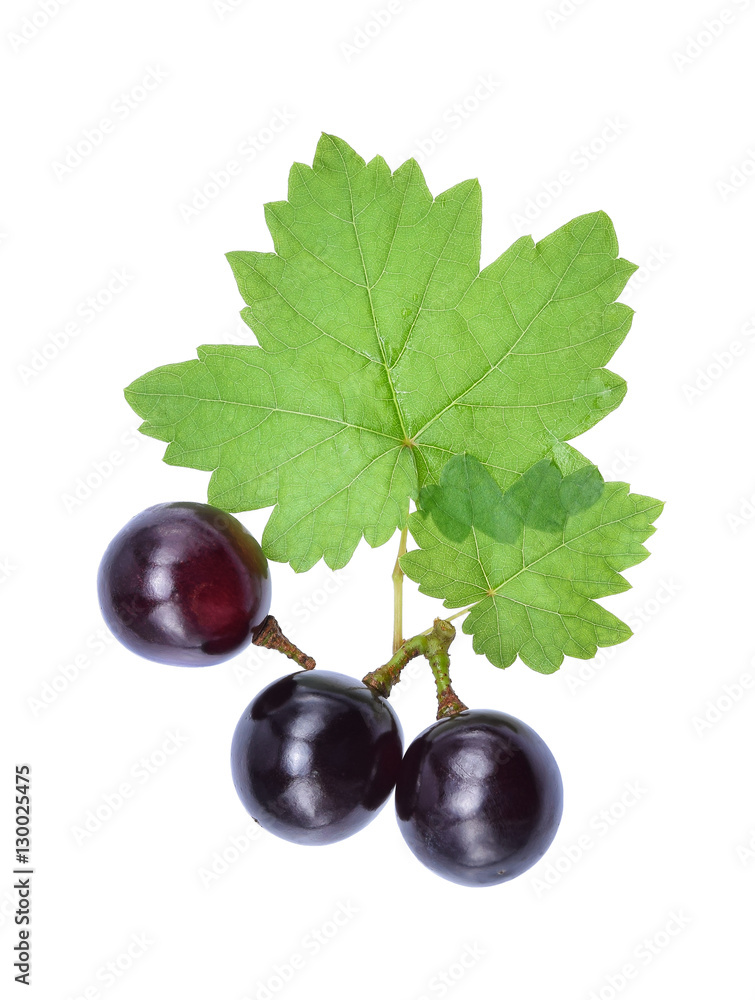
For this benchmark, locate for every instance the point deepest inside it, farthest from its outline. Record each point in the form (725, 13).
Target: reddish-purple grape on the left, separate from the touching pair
(184, 583)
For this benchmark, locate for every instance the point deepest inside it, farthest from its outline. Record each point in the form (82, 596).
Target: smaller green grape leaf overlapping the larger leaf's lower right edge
(530, 589)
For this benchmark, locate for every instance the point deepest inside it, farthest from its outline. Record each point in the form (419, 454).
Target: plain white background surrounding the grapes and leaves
(84, 714)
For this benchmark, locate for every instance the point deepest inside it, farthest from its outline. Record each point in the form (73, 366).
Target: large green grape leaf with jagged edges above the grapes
(383, 350)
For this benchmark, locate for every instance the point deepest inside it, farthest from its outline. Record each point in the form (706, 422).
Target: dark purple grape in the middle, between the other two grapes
(315, 756)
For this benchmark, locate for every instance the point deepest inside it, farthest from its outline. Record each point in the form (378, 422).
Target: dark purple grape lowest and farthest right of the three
(479, 797)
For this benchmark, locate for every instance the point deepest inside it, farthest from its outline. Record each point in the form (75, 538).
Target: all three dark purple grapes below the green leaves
(316, 754)
